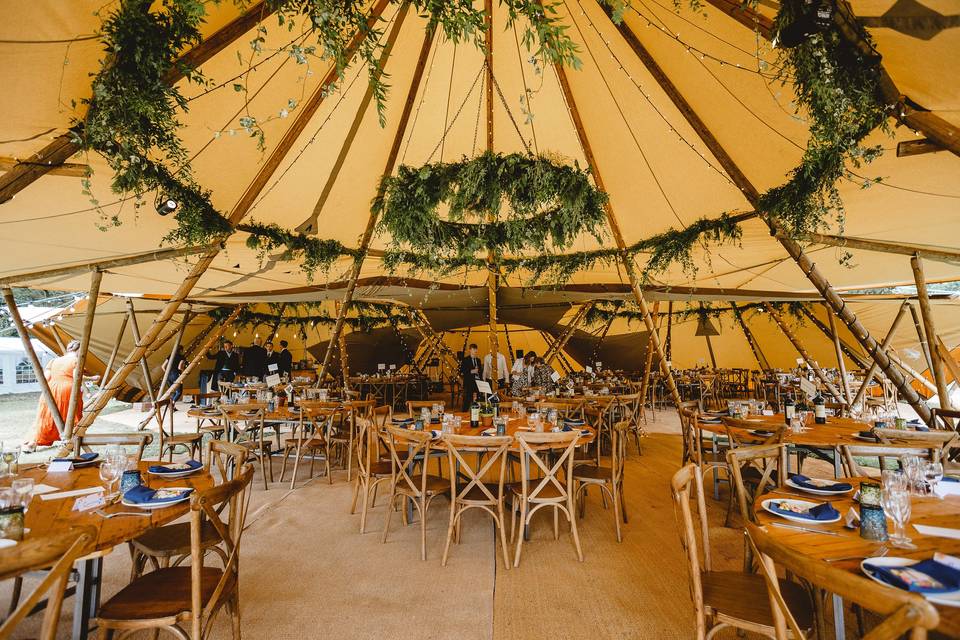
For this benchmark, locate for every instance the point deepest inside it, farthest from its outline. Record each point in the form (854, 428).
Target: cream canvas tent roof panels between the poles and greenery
(658, 172)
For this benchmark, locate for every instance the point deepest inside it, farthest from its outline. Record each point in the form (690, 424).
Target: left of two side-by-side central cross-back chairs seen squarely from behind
(473, 492)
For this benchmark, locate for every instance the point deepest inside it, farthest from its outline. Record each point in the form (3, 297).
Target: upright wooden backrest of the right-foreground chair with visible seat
(687, 484)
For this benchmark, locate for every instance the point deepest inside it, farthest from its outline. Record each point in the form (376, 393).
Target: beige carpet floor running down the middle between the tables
(308, 573)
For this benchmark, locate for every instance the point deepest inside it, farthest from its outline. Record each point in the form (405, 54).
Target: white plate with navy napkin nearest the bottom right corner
(932, 578)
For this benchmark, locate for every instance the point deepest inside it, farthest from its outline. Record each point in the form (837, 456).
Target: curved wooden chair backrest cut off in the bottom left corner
(55, 554)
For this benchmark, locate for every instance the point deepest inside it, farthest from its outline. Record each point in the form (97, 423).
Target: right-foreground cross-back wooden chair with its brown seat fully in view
(723, 599)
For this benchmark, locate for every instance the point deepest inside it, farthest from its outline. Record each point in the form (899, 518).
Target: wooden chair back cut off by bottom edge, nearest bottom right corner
(905, 614)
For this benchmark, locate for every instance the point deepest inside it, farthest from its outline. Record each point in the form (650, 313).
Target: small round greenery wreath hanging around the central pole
(493, 202)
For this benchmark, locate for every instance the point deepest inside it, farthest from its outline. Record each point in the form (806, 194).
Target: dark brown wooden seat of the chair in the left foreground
(159, 594)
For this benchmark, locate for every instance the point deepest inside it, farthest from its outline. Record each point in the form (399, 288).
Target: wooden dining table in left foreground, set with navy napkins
(45, 517)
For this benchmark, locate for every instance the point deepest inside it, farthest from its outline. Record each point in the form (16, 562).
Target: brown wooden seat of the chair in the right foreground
(744, 596)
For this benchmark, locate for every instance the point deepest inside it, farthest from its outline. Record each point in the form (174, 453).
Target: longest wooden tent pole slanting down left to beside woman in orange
(240, 210)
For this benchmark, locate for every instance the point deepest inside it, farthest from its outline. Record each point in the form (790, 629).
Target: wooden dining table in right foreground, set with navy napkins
(839, 542)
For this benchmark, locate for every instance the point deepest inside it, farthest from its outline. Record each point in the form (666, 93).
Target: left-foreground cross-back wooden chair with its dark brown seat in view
(170, 597)
